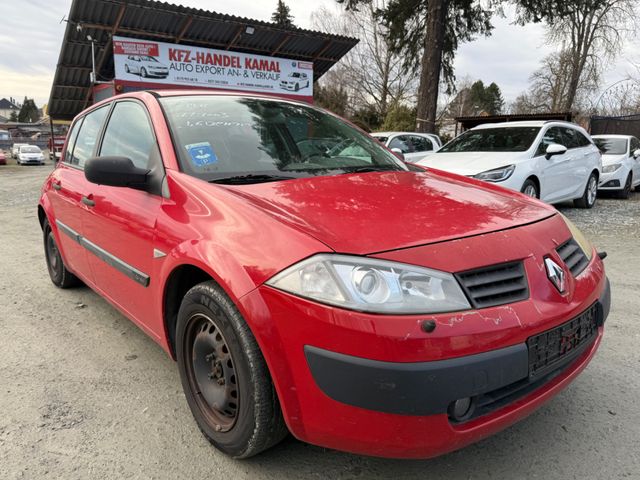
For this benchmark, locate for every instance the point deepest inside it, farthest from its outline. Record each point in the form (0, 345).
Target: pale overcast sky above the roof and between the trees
(31, 34)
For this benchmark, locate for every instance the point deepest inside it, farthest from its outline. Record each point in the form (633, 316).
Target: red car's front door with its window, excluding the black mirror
(121, 226)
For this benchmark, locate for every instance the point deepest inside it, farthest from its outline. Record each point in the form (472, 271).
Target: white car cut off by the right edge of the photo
(620, 163)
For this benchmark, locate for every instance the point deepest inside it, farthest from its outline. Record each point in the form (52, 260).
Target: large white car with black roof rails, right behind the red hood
(550, 160)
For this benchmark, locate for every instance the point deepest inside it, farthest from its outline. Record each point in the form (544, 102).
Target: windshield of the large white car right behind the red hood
(502, 139)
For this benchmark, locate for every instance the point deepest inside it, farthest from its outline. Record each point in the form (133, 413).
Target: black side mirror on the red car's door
(116, 172)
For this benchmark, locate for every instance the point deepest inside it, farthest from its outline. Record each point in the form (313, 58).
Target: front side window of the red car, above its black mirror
(129, 134)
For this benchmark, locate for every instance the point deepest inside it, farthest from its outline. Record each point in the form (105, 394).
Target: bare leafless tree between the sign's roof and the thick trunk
(373, 74)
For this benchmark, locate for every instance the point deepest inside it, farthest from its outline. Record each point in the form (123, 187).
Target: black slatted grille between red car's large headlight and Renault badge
(495, 285)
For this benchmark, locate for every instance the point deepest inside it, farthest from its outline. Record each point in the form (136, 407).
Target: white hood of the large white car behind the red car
(471, 163)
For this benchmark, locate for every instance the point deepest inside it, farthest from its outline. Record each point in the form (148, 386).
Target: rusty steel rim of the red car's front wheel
(211, 372)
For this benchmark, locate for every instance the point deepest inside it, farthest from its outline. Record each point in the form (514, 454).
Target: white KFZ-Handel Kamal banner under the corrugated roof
(143, 61)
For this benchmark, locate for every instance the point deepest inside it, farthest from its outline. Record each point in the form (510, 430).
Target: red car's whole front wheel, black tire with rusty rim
(224, 375)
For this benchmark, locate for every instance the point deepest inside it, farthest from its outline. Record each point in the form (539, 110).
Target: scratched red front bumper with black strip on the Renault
(400, 410)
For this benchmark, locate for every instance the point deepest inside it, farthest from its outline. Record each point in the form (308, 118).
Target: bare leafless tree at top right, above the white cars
(591, 33)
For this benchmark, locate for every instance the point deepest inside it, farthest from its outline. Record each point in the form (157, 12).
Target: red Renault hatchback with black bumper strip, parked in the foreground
(308, 281)
